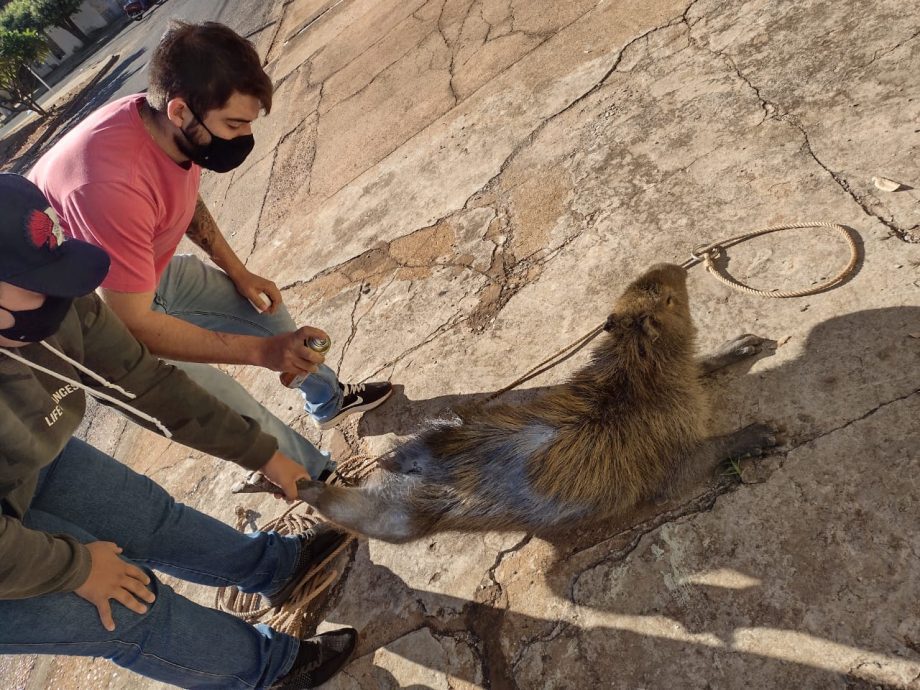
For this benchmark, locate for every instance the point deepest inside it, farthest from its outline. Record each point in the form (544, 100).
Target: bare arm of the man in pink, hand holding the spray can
(172, 338)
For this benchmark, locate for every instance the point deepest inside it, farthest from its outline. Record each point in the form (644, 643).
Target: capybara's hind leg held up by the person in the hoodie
(361, 510)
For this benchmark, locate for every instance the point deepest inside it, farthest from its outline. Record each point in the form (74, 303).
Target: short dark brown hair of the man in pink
(204, 64)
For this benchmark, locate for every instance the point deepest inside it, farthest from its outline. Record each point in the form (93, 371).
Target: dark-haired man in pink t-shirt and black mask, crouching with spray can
(127, 178)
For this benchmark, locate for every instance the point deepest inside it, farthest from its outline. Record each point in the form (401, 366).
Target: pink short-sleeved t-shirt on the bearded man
(111, 185)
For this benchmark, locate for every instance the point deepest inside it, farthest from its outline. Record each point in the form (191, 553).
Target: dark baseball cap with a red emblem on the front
(33, 252)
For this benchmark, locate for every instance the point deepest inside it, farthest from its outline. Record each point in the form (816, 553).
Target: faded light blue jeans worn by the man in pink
(205, 296)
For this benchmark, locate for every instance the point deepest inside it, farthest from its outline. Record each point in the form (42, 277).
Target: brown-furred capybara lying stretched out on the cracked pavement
(619, 432)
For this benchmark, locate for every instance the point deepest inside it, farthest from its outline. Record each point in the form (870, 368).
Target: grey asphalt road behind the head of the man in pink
(135, 43)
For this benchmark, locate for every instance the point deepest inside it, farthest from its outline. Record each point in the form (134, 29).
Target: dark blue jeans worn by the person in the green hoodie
(93, 497)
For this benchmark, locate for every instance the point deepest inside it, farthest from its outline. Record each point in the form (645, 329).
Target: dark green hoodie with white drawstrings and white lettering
(39, 414)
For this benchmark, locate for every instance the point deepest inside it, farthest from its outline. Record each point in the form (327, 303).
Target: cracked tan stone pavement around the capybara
(455, 189)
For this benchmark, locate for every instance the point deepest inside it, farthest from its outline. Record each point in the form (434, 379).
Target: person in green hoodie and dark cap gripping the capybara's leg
(79, 529)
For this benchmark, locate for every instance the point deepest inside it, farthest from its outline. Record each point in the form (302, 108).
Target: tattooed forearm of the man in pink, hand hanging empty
(204, 232)
